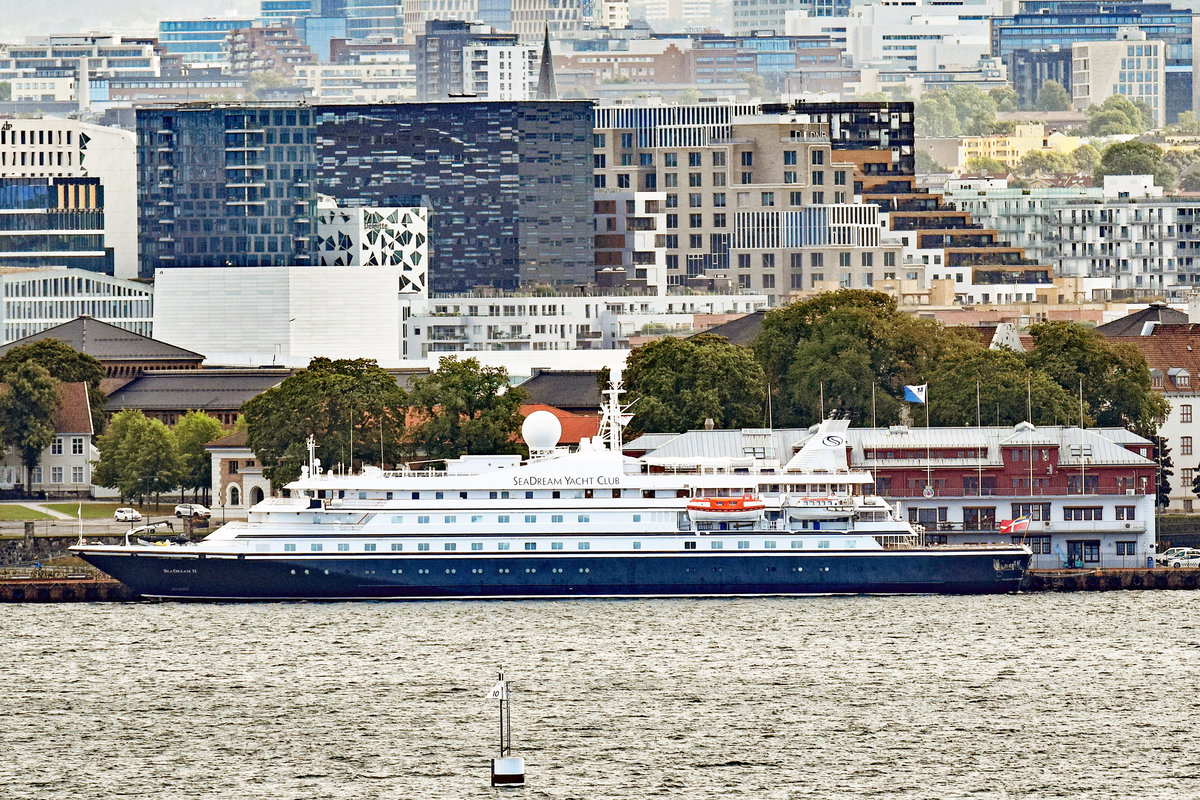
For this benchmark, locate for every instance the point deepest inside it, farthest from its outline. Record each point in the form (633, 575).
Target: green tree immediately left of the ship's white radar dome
(465, 408)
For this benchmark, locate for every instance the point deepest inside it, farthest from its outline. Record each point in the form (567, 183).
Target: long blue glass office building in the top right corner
(1046, 25)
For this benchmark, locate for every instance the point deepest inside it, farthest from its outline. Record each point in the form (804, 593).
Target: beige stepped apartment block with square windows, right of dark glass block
(760, 201)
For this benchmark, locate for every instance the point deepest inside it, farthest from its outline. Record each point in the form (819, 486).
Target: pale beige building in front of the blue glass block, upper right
(1133, 67)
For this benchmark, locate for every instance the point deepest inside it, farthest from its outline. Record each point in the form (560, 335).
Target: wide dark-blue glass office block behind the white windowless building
(508, 184)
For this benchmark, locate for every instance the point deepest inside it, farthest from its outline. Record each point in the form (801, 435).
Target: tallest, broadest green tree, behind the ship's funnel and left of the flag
(838, 346)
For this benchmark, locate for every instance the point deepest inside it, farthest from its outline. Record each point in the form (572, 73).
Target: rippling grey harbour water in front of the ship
(1023, 696)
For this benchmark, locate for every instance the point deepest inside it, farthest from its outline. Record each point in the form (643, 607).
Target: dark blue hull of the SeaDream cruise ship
(230, 578)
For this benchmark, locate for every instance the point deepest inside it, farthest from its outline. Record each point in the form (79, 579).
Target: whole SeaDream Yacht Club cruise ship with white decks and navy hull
(585, 524)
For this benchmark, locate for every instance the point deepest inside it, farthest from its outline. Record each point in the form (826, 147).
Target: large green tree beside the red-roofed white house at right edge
(1114, 377)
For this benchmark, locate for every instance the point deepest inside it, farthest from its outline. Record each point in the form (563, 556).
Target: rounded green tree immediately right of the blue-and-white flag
(1007, 390)
